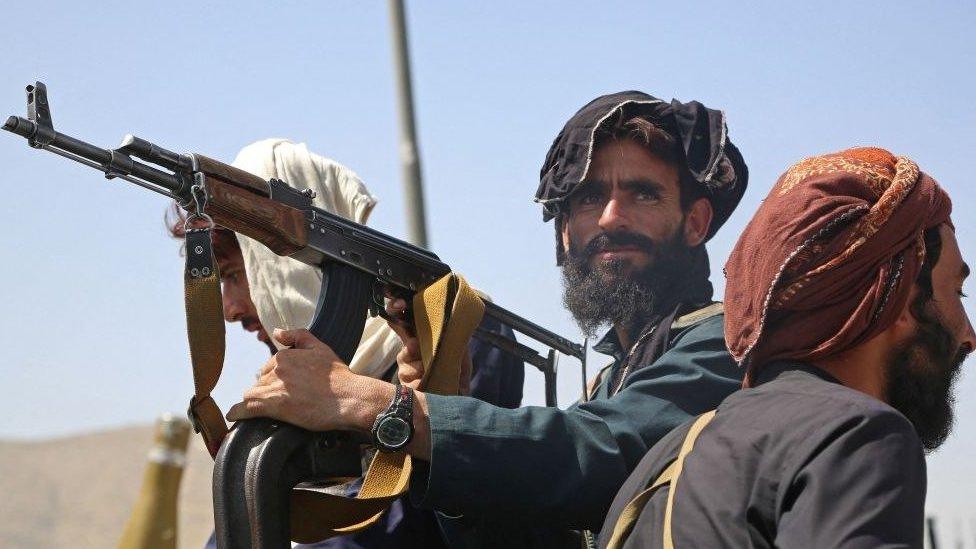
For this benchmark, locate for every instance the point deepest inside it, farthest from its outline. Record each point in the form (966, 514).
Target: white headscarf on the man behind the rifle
(284, 290)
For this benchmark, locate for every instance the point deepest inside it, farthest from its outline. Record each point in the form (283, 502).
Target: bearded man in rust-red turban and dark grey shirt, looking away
(843, 303)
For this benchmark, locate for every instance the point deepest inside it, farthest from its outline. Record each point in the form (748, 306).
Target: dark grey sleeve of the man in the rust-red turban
(863, 486)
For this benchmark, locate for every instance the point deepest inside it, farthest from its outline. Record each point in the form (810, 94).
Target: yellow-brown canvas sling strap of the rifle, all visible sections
(446, 314)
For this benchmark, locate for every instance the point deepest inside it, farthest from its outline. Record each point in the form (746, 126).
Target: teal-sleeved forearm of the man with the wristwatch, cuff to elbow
(542, 464)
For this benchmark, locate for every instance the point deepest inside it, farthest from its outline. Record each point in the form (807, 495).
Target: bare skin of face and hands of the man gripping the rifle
(629, 189)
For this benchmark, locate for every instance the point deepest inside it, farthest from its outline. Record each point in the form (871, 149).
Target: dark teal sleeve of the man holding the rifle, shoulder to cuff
(564, 466)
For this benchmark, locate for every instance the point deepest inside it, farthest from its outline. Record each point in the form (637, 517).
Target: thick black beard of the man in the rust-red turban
(920, 377)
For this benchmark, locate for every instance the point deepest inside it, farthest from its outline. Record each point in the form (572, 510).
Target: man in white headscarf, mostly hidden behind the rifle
(263, 291)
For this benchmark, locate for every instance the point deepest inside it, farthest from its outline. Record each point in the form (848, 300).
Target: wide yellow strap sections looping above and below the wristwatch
(445, 315)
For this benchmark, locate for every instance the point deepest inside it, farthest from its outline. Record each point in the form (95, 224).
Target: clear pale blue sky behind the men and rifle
(91, 284)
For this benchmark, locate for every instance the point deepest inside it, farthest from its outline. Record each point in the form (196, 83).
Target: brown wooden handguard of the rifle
(279, 227)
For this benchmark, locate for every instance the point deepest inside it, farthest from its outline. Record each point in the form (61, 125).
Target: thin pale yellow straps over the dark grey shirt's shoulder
(631, 512)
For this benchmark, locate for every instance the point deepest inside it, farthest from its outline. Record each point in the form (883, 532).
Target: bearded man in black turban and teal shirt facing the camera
(637, 185)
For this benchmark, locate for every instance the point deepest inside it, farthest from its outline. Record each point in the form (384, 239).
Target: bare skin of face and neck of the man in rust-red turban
(863, 367)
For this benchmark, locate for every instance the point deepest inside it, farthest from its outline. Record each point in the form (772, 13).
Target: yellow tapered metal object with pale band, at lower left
(152, 523)
